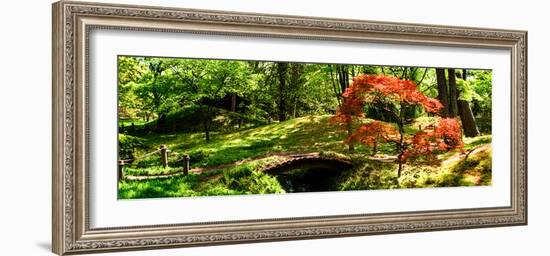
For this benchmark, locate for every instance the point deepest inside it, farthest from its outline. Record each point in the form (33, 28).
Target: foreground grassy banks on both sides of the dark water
(367, 174)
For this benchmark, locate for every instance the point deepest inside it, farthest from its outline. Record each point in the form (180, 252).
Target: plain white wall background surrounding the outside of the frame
(25, 112)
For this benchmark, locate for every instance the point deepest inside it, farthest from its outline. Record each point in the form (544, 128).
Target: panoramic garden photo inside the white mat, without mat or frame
(205, 127)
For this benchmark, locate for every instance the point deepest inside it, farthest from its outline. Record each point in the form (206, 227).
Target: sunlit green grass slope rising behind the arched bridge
(306, 134)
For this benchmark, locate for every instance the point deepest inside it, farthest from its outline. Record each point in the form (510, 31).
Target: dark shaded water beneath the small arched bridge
(309, 180)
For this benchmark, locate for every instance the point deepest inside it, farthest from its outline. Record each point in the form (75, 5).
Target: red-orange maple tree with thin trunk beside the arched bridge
(392, 95)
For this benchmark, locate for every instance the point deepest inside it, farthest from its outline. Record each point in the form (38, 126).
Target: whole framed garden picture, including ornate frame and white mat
(178, 127)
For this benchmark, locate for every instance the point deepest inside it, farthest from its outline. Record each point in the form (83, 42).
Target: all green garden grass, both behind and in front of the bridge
(306, 134)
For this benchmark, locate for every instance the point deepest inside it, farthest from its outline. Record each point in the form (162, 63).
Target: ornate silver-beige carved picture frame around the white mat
(72, 22)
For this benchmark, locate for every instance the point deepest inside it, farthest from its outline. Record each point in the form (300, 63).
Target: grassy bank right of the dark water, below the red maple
(457, 171)
